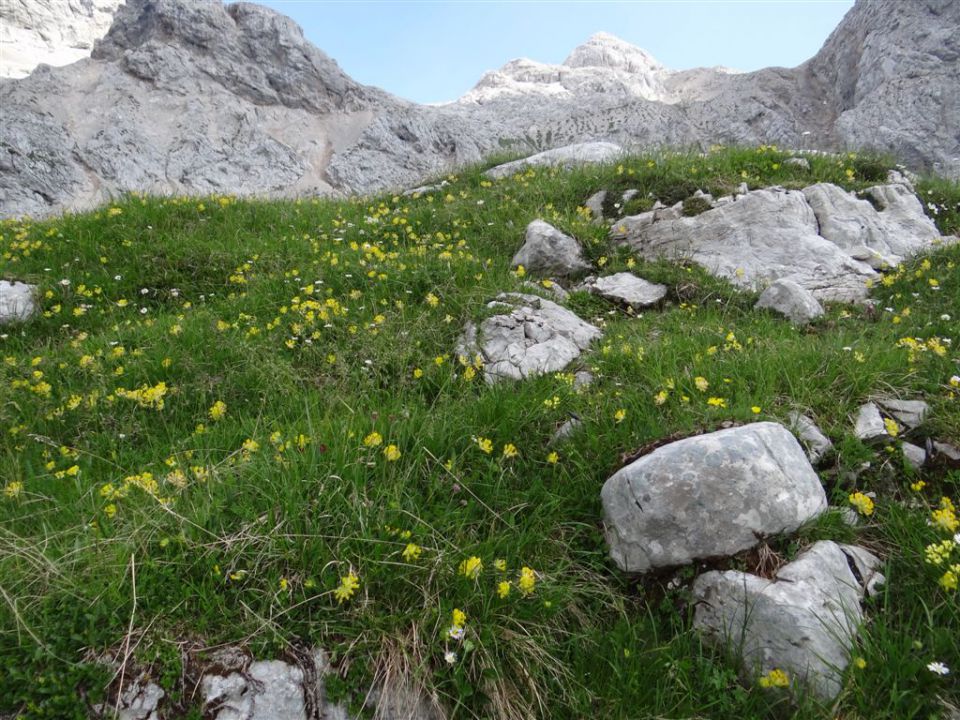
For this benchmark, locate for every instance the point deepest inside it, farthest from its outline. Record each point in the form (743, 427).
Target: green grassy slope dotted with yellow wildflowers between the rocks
(314, 323)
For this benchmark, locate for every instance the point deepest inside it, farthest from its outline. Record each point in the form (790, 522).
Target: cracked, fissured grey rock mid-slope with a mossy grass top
(532, 336)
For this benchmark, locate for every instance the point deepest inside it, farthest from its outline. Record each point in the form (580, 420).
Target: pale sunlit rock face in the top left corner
(54, 32)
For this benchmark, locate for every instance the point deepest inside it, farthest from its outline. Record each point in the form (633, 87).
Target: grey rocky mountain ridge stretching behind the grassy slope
(193, 96)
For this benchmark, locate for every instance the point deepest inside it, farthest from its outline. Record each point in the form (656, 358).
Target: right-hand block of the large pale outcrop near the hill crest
(880, 238)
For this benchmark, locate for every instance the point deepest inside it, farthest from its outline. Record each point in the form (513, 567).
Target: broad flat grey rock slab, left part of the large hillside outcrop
(764, 236)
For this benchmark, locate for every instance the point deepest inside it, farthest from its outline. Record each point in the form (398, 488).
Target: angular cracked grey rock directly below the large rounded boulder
(803, 622)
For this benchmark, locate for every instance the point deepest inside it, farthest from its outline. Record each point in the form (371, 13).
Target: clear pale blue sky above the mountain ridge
(431, 51)
